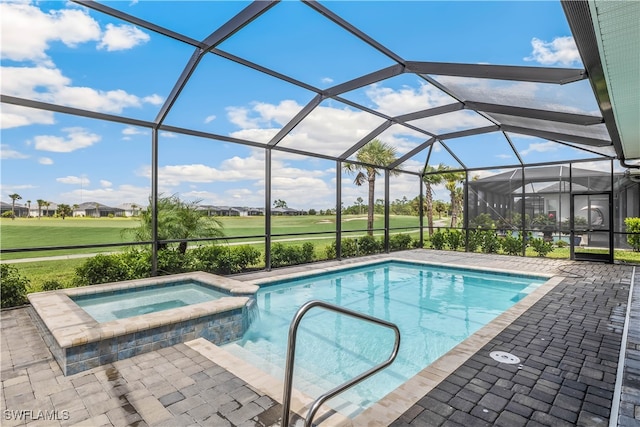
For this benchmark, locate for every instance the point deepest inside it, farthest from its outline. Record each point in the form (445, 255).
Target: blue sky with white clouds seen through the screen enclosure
(77, 57)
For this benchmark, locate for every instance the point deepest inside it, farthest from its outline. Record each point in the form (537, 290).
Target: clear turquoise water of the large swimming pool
(435, 309)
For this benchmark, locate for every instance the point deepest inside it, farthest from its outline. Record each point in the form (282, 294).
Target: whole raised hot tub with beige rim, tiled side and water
(124, 319)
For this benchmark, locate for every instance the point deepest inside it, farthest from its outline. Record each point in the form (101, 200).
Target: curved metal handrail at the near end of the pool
(291, 350)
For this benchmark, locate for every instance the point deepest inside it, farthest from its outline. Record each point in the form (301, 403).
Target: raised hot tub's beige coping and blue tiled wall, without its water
(78, 342)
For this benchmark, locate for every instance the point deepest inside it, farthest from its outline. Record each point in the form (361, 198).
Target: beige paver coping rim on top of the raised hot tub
(71, 326)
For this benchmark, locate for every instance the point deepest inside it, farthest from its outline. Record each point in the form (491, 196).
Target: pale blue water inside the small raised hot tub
(122, 304)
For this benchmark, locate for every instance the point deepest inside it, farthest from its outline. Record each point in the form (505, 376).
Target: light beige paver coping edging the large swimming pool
(398, 401)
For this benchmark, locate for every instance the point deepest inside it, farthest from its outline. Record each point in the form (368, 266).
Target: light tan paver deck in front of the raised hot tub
(175, 386)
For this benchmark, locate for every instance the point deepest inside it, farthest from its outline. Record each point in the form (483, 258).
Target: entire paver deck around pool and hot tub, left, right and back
(568, 343)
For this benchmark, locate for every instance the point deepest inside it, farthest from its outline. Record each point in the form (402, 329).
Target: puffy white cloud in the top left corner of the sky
(27, 31)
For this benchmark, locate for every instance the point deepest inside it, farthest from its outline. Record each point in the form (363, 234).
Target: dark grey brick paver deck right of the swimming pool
(568, 343)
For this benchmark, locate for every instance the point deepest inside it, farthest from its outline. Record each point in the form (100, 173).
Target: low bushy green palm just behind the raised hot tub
(176, 220)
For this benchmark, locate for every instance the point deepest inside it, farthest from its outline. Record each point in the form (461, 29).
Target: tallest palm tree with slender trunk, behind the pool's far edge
(375, 154)
